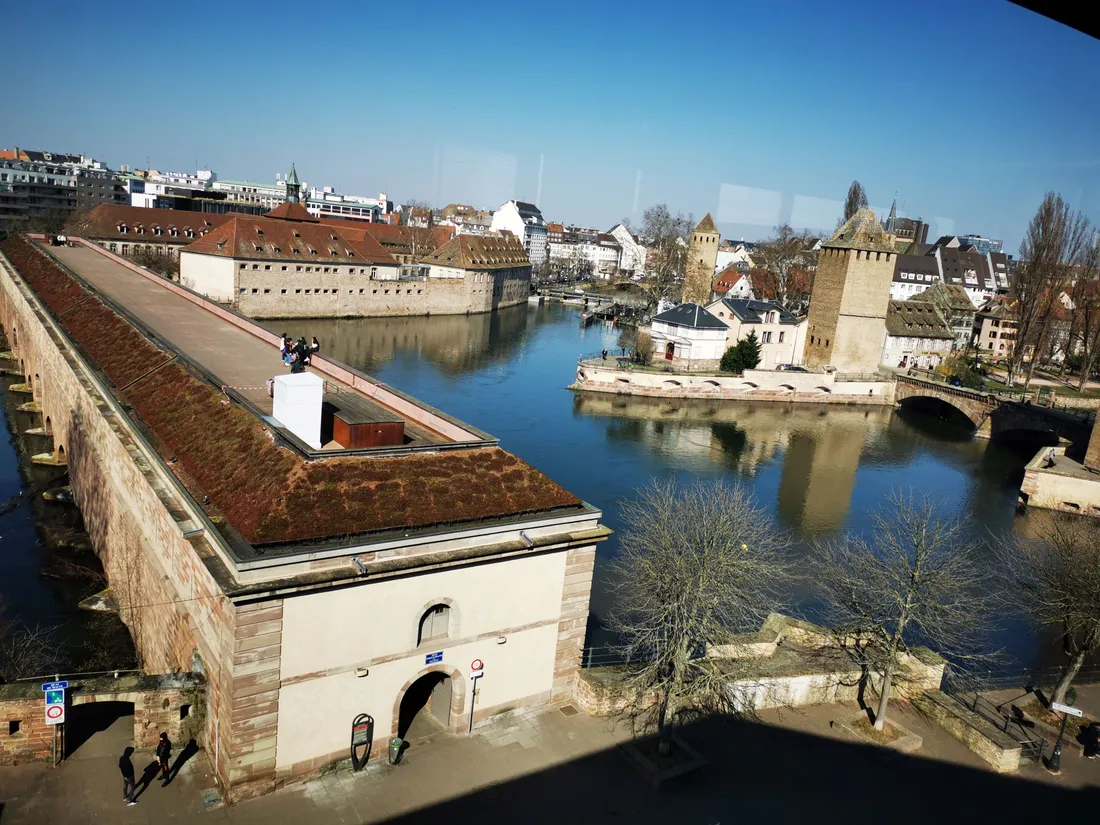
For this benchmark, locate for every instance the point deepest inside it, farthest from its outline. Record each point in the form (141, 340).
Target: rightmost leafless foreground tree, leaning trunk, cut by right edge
(1054, 578)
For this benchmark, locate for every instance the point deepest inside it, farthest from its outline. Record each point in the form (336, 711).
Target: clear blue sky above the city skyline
(763, 114)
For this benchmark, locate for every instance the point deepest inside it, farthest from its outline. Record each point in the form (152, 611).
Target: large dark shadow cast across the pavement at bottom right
(763, 774)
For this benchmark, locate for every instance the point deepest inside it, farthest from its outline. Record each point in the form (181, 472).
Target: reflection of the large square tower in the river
(820, 474)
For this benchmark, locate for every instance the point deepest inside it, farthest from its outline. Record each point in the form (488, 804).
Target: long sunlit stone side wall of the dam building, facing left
(171, 602)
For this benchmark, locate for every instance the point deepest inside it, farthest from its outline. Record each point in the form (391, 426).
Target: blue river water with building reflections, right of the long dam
(818, 470)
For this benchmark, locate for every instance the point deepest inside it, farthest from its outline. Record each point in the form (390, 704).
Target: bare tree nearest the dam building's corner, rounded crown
(698, 566)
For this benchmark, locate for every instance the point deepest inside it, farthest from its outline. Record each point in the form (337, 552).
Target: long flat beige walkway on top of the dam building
(237, 358)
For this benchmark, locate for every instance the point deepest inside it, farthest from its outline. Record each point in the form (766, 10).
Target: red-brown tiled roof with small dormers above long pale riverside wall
(268, 239)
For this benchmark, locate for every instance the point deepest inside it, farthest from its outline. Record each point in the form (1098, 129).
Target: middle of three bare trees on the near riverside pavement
(915, 580)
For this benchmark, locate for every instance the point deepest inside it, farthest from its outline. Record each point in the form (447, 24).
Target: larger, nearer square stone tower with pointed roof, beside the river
(852, 292)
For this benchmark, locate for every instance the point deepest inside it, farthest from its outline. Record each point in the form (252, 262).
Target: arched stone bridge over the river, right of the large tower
(996, 416)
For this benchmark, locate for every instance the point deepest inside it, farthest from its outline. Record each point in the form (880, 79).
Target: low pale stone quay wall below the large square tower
(621, 378)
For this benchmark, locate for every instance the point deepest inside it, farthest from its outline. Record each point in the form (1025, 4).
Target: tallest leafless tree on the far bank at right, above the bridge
(1055, 240)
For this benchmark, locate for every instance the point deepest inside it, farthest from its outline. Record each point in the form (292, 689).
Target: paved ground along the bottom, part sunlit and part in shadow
(789, 766)
